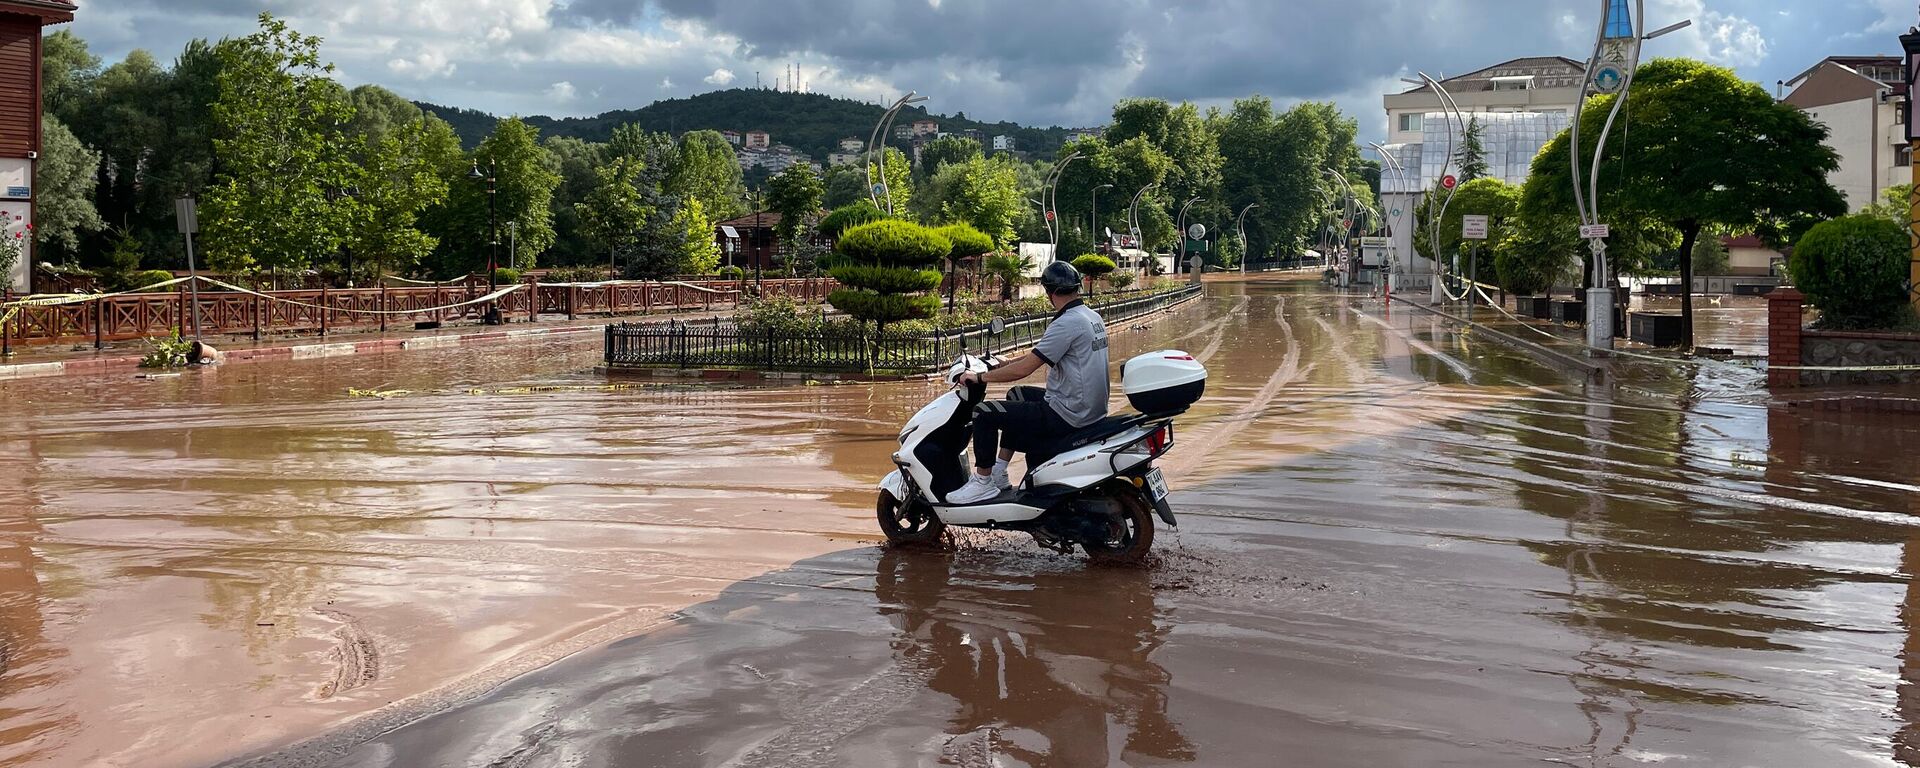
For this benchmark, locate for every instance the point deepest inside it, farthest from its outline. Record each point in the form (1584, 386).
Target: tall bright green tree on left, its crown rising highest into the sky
(281, 155)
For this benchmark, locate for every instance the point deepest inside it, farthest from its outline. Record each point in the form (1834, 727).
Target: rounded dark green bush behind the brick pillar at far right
(1854, 270)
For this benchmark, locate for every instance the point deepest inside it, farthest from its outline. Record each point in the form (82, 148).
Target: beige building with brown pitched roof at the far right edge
(1860, 101)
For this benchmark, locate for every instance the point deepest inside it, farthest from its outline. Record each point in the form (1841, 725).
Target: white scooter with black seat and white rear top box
(1095, 489)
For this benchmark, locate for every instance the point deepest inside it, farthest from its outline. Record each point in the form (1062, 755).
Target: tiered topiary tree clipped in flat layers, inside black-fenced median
(884, 268)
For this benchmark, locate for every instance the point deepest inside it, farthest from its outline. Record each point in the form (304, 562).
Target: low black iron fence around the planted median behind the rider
(727, 345)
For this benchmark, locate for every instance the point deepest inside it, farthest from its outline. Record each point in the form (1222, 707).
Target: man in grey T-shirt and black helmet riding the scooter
(1074, 352)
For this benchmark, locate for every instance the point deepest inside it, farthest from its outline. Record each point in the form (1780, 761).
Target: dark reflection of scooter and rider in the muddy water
(1049, 669)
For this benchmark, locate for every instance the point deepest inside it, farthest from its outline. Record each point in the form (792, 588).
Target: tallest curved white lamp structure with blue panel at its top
(1608, 72)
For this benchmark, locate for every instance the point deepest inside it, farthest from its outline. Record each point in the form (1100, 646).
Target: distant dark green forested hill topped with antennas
(811, 124)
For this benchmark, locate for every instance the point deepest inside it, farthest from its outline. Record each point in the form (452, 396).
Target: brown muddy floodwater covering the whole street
(1401, 546)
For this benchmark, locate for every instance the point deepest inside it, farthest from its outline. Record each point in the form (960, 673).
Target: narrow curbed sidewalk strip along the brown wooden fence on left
(126, 356)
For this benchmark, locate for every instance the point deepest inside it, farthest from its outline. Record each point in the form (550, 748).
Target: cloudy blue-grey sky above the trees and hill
(1040, 62)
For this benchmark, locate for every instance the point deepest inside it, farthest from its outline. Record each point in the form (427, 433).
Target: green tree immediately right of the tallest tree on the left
(402, 178)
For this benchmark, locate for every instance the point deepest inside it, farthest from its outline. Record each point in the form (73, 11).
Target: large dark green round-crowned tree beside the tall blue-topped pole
(1708, 151)
